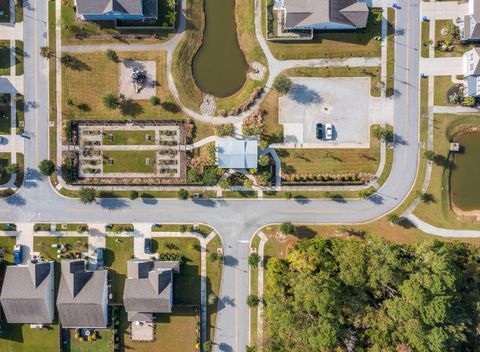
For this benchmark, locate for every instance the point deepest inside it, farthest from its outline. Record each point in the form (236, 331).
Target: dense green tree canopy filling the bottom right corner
(372, 295)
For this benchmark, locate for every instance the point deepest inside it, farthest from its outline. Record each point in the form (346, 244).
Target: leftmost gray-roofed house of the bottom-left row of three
(27, 293)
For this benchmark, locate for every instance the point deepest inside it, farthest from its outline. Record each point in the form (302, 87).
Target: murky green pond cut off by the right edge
(465, 178)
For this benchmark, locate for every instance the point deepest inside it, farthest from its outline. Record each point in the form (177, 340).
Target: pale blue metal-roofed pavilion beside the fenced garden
(237, 154)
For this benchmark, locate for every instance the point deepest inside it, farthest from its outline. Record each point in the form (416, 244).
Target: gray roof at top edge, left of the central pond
(134, 7)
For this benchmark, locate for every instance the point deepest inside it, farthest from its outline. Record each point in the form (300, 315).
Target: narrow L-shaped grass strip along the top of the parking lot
(372, 72)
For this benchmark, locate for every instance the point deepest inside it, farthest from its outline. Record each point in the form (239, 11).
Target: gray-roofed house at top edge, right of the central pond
(324, 14)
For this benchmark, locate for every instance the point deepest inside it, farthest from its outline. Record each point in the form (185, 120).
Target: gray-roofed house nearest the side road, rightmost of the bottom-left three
(149, 288)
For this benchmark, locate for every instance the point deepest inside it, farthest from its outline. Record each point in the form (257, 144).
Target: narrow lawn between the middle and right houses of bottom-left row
(118, 251)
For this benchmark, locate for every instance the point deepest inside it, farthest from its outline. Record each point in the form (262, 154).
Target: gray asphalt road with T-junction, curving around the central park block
(235, 220)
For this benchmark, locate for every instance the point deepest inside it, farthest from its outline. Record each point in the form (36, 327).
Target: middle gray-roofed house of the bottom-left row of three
(82, 300)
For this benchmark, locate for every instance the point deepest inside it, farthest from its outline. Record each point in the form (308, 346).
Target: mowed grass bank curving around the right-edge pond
(438, 212)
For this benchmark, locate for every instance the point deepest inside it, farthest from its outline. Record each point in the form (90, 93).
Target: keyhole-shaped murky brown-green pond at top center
(219, 67)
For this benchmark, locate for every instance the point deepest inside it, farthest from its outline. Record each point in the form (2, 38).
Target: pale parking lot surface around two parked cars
(343, 102)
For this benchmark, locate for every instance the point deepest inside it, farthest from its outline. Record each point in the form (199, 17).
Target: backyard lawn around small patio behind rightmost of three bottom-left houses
(174, 332)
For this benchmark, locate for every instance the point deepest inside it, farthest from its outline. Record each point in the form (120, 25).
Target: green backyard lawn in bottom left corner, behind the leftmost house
(21, 338)
